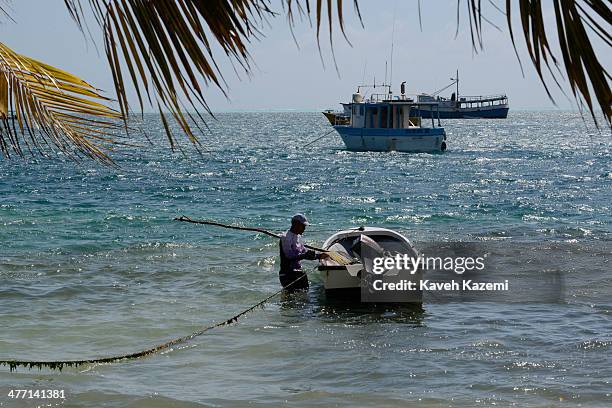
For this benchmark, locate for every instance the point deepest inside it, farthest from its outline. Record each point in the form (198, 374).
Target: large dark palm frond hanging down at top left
(169, 47)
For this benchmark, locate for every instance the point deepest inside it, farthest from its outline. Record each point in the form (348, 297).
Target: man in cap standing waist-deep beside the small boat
(292, 251)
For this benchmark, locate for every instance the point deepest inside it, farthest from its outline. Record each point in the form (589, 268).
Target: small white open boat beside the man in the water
(354, 249)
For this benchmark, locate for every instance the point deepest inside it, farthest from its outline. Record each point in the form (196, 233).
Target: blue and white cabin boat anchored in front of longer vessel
(384, 122)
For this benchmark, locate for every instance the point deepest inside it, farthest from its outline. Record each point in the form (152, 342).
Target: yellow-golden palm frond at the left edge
(44, 107)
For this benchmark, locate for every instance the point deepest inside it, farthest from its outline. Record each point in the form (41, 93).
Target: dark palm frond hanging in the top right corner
(589, 81)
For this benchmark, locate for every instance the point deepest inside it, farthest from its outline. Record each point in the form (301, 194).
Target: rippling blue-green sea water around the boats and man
(92, 264)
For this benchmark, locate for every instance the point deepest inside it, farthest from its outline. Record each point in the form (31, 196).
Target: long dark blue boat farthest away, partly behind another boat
(464, 107)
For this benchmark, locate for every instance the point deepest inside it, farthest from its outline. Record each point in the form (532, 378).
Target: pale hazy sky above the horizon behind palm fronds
(288, 77)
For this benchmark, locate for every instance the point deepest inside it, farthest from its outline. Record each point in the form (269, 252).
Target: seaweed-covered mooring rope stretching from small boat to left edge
(60, 364)
